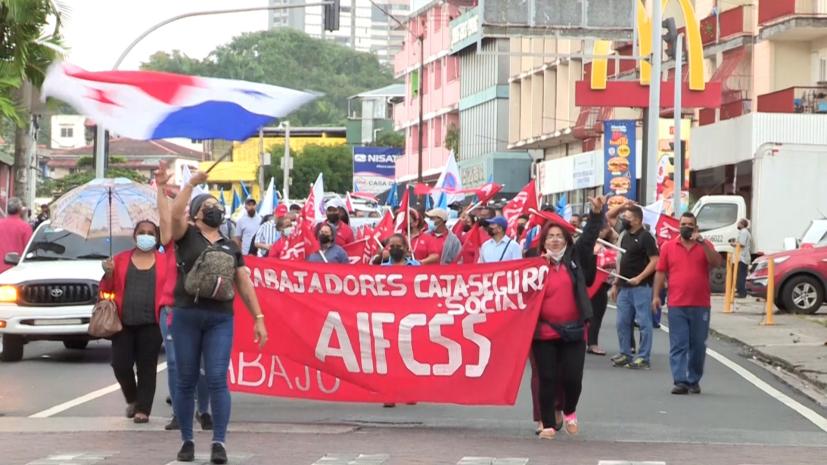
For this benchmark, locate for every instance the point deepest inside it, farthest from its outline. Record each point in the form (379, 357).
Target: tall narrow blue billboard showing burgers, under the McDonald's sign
(619, 148)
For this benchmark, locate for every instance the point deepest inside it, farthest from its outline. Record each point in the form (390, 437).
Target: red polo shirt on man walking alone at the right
(688, 273)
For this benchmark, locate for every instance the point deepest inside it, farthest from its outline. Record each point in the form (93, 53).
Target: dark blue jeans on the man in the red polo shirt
(688, 329)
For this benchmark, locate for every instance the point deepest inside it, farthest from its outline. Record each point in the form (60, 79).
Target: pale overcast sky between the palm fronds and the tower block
(97, 31)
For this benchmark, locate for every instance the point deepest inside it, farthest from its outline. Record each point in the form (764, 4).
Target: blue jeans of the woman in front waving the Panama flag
(199, 332)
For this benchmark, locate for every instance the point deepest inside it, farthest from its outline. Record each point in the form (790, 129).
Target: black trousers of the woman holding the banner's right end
(560, 367)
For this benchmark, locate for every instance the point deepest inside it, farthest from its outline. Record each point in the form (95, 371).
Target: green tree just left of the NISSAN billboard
(335, 162)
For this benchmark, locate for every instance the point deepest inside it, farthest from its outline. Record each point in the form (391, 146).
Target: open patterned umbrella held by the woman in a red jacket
(105, 208)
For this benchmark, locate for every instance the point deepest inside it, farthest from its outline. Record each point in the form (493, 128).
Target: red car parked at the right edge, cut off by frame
(800, 278)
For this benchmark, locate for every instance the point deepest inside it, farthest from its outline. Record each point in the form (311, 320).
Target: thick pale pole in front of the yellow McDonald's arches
(651, 162)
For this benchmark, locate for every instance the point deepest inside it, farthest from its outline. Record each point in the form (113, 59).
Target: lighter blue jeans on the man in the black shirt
(634, 305)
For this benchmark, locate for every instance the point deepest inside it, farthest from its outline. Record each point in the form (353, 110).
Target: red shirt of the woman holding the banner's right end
(559, 305)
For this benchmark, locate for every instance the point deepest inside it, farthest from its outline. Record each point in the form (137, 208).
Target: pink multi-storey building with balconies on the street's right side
(441, 93)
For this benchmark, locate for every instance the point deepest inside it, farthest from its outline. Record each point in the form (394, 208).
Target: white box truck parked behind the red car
(789, 191)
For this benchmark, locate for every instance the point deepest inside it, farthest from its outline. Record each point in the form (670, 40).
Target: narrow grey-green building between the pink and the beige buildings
(483, 107)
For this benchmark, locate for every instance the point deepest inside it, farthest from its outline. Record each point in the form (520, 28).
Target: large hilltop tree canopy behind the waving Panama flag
(288, 58)
